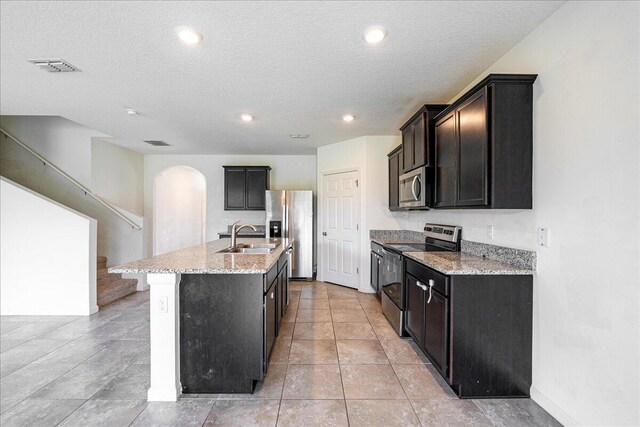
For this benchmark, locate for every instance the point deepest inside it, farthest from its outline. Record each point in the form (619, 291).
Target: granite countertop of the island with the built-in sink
(205, 259)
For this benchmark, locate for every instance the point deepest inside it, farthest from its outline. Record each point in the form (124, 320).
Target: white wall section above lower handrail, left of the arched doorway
(117, 175)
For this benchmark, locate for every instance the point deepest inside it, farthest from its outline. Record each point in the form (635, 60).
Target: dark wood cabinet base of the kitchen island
(228, 326)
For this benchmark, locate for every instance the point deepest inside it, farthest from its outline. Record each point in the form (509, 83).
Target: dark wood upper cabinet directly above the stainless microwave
(417, 138)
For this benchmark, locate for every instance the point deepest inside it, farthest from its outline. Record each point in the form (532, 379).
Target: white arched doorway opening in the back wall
(179, 209)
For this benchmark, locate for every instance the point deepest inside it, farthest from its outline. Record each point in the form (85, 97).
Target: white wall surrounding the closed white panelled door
(368, 155)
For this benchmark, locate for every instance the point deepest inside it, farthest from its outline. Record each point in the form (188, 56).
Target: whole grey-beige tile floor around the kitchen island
(336, 362)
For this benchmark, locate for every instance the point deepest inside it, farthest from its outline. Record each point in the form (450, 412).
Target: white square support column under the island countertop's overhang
(165, 337)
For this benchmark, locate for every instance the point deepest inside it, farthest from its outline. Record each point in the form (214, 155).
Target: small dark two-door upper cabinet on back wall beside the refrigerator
(245, 186)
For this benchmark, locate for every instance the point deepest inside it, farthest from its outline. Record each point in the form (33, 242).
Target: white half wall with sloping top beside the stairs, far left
(48, 256)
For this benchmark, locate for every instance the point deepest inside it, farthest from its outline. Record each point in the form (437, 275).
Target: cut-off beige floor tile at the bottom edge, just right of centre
(388, 413)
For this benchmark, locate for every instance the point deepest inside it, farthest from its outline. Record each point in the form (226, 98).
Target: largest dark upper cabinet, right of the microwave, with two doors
(484, 146)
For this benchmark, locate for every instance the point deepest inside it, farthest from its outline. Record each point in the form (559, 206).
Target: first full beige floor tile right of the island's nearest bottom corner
(313, 382)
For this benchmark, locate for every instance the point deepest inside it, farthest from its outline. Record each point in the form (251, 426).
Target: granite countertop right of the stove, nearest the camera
(460, 263)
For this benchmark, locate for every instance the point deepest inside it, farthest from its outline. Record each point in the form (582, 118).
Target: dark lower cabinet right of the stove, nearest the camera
(476, 330)
